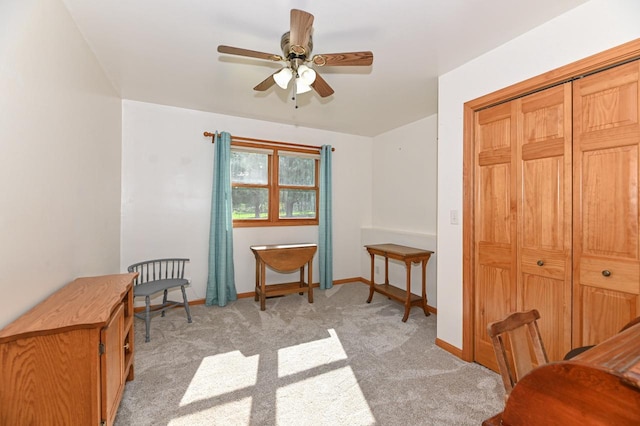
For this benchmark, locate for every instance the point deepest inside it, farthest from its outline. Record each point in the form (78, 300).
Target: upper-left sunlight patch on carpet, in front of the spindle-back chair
(219, 375)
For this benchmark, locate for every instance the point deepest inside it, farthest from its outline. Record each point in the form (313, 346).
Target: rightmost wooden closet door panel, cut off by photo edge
(606, 223)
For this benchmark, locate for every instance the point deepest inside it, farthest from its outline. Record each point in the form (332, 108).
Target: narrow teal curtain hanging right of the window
(325, 228)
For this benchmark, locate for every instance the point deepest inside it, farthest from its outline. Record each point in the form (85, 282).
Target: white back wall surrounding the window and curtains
(166, 191)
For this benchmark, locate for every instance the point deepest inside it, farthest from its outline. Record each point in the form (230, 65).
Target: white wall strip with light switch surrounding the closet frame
(586, 30)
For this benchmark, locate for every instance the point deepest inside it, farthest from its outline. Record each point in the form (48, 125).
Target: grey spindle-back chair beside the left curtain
(155, 276)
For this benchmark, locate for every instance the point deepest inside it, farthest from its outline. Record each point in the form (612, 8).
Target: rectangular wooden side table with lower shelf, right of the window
(408, 255)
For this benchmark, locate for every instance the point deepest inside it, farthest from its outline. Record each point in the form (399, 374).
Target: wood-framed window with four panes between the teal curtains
(274, 186)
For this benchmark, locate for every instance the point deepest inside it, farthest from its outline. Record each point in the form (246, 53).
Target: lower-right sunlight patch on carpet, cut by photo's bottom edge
(326, 399)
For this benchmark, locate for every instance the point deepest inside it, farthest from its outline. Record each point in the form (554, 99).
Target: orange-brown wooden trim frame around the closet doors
(598, 62)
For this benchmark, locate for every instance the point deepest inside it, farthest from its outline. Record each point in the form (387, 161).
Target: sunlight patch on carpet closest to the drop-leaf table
(306, 356)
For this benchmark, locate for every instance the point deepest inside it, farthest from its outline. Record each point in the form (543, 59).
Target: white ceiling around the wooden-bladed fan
(164, 52)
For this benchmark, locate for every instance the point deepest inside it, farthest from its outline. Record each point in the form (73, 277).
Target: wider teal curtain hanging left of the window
(221, 286)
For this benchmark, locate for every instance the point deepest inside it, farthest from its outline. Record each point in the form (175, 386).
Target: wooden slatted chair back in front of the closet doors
(518, 346)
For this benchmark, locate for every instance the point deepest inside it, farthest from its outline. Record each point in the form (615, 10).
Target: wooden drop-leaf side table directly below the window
(283, 258)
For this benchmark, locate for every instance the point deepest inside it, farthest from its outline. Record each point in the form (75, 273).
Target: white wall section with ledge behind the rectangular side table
(404, 200)
